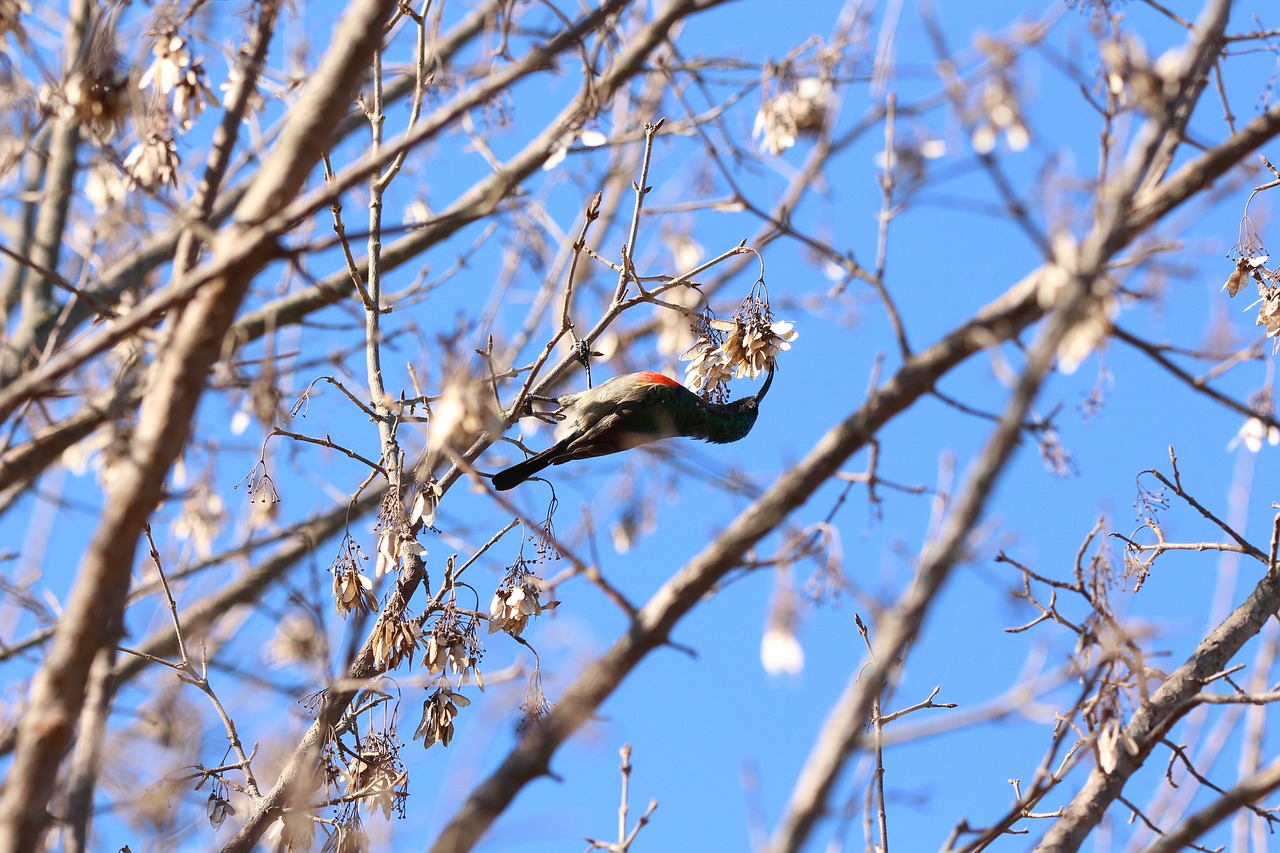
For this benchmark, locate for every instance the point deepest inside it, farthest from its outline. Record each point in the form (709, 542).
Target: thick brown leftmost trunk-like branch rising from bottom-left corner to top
(94, 613)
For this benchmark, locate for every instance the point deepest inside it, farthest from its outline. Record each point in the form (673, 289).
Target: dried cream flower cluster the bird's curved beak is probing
(746, 346)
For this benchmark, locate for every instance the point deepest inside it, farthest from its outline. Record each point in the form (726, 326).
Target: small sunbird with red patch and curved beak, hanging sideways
(636, 409)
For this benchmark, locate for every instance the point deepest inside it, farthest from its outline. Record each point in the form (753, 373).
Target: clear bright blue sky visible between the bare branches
(716, 740)
